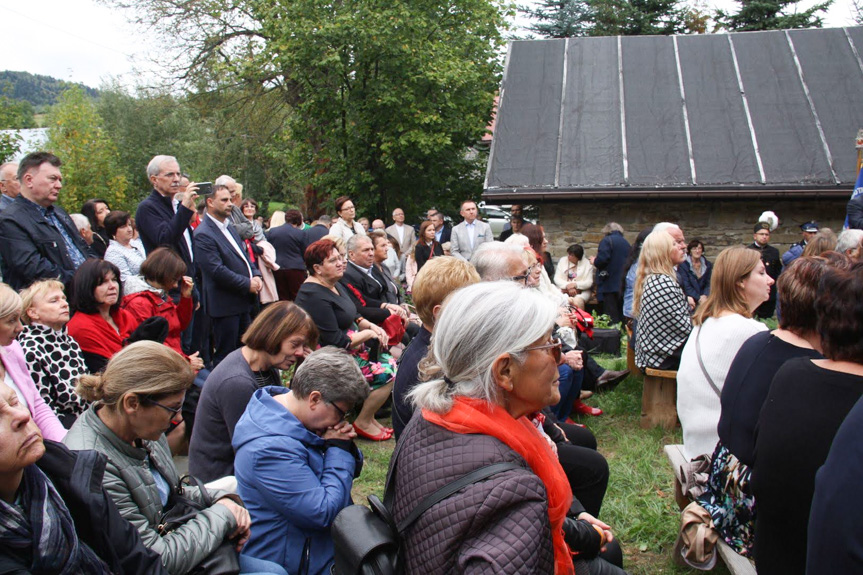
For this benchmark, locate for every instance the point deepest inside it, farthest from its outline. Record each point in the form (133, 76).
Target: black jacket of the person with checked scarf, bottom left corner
(77, 475)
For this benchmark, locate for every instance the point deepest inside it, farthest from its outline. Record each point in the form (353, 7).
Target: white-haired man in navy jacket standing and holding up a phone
(164, 216)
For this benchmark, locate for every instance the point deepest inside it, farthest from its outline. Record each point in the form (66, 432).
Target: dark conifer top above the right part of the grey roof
(772, 15)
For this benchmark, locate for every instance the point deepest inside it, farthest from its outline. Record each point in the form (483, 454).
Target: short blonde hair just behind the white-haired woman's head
(438, 278)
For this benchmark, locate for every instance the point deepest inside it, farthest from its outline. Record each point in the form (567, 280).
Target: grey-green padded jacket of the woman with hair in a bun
(130, 484)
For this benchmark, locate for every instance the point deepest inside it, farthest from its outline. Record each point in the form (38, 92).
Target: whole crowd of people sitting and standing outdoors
(264, 350)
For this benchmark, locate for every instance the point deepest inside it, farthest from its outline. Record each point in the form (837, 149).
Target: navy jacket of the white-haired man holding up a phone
(159, 226)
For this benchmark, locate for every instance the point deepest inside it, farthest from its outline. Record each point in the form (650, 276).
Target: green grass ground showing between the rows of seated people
(639, 504)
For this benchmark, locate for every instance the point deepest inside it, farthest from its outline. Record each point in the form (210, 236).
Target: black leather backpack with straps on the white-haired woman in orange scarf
(367, 540)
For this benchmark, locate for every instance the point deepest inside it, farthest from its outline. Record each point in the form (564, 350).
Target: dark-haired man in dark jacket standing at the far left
(37, 239)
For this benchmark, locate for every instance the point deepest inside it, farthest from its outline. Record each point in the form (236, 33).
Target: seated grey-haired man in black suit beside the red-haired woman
(367, 292)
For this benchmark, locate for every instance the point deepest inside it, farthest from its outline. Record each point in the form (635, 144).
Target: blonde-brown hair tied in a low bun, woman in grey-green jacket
(143, 368)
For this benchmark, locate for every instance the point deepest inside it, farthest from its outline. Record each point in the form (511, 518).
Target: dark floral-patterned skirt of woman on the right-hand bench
(729, 501)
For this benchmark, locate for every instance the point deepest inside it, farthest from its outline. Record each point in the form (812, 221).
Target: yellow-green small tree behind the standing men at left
(90, 161)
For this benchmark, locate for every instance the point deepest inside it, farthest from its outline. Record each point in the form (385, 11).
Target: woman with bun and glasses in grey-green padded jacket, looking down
(135, 400)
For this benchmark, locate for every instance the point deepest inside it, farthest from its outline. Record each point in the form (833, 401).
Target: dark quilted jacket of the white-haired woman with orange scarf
(497, 526)
